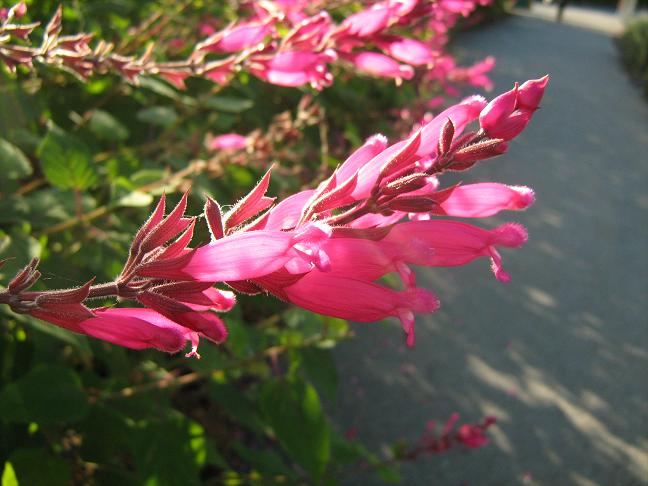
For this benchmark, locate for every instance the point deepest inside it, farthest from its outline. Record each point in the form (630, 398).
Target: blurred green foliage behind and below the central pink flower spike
(82, 163)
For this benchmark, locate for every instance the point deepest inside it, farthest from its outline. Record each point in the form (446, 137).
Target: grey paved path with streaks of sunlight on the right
(560, 354)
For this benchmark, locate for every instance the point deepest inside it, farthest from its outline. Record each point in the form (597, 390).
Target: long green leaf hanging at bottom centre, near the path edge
(294, 411)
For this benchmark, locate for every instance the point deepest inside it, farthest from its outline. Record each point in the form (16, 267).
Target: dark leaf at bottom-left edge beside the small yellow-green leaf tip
(35, 467)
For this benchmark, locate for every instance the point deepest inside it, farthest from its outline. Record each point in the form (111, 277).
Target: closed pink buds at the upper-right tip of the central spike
(508, 115)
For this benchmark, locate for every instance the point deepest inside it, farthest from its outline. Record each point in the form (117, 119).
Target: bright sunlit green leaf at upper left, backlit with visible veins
(65, 160)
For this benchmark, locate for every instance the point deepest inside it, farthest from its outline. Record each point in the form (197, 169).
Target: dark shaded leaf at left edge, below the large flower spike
(47, 394)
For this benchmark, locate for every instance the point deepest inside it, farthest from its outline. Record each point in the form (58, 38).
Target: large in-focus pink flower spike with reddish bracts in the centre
(375, 215)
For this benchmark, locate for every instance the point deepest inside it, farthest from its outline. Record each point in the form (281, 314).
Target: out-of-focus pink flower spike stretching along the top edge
(279, 42)
